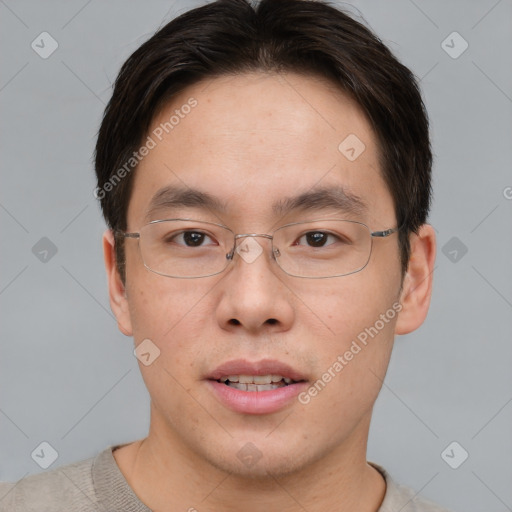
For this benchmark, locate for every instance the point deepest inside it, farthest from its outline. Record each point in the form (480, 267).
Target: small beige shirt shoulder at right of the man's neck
(403, 498)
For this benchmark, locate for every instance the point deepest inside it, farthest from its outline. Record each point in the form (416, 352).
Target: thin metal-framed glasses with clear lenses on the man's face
(321, 248)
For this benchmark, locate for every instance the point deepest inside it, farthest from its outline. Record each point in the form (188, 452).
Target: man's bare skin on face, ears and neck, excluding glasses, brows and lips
(271, 135)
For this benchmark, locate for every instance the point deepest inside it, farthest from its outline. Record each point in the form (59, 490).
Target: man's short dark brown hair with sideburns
(231, 37)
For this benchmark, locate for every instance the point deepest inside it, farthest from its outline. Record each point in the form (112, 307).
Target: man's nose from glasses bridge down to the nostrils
(253, 295)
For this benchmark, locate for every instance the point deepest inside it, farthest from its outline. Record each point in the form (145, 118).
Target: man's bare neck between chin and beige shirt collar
(166, 476)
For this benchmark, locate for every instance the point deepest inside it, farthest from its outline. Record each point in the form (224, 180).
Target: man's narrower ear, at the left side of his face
(116, 288)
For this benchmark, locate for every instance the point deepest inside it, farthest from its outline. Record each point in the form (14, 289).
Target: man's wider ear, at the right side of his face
(417, 284)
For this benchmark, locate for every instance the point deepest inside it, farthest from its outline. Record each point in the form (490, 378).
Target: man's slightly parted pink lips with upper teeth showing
(261, 387)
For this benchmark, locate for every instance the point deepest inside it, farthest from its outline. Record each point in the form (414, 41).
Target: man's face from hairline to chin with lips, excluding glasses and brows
(253, 141)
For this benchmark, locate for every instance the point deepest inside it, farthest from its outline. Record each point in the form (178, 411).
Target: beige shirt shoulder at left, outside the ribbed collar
(69, 487)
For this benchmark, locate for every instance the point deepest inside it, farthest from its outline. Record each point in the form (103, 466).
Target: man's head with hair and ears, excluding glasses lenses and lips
(252, 105)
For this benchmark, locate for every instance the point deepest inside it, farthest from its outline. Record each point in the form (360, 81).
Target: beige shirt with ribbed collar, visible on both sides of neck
(97, 485)
